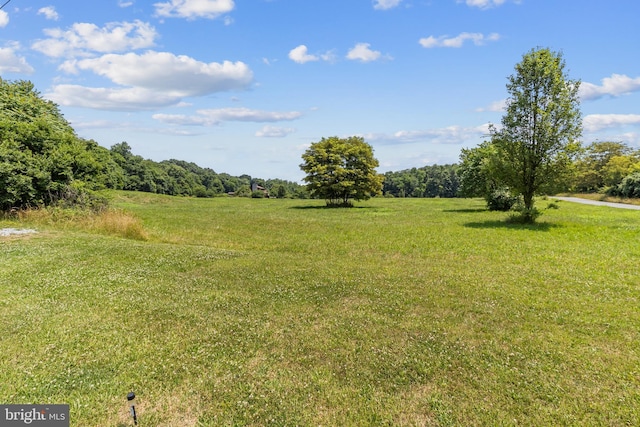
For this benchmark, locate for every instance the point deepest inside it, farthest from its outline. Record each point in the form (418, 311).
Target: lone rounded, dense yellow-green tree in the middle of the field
(341, 169)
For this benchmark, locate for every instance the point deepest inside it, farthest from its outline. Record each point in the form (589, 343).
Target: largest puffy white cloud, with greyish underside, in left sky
(163, 71)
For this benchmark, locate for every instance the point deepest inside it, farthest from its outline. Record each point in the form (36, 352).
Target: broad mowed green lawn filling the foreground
(416, 312)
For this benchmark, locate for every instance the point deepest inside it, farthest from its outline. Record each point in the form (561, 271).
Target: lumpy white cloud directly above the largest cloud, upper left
(83, 38)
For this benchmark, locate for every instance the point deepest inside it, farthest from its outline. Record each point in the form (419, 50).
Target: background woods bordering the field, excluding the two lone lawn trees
(43, 161)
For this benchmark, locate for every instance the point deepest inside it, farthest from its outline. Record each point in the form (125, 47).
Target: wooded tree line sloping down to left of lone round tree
(43, 161)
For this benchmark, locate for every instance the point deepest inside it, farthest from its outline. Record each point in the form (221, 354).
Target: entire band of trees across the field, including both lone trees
(535, 151)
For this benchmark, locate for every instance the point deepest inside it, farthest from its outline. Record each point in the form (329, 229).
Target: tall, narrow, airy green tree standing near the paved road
(540, 130)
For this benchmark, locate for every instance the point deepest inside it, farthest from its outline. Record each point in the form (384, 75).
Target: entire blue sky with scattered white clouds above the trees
(244, 86)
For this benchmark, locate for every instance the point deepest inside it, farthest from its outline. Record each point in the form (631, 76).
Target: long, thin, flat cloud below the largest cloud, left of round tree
(213, 117)
